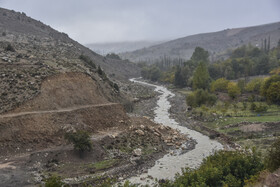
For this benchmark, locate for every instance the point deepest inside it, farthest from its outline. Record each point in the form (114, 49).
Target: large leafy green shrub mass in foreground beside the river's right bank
(224, 168)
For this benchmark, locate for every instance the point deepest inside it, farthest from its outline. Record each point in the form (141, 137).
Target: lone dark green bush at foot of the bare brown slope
(80, 139)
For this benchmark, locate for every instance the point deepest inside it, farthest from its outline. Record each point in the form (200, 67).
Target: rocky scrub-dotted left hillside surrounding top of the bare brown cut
(31, 51)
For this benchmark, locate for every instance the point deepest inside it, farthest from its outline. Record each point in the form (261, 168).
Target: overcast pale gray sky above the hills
(89, 21)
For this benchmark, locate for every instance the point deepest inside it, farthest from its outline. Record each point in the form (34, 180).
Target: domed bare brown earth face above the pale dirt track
(65, 90)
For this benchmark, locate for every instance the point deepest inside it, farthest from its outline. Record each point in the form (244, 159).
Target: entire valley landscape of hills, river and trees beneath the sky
(201, 110)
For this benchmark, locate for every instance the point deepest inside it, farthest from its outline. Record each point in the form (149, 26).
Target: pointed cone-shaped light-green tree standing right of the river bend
(201, 78)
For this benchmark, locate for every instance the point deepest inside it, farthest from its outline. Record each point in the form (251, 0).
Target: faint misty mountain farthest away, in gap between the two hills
(120, 47)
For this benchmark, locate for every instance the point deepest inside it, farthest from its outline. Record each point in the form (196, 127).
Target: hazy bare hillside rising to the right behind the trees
(217, 43)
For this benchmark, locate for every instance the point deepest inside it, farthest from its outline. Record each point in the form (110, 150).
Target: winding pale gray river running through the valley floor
(171, 163)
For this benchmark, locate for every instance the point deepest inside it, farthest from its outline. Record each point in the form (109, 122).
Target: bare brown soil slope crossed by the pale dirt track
(67, 101)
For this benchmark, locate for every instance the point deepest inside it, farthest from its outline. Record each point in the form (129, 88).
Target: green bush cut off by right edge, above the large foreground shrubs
(272, 159)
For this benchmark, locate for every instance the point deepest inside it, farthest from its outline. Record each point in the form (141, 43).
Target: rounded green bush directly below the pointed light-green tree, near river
(201, 97)
